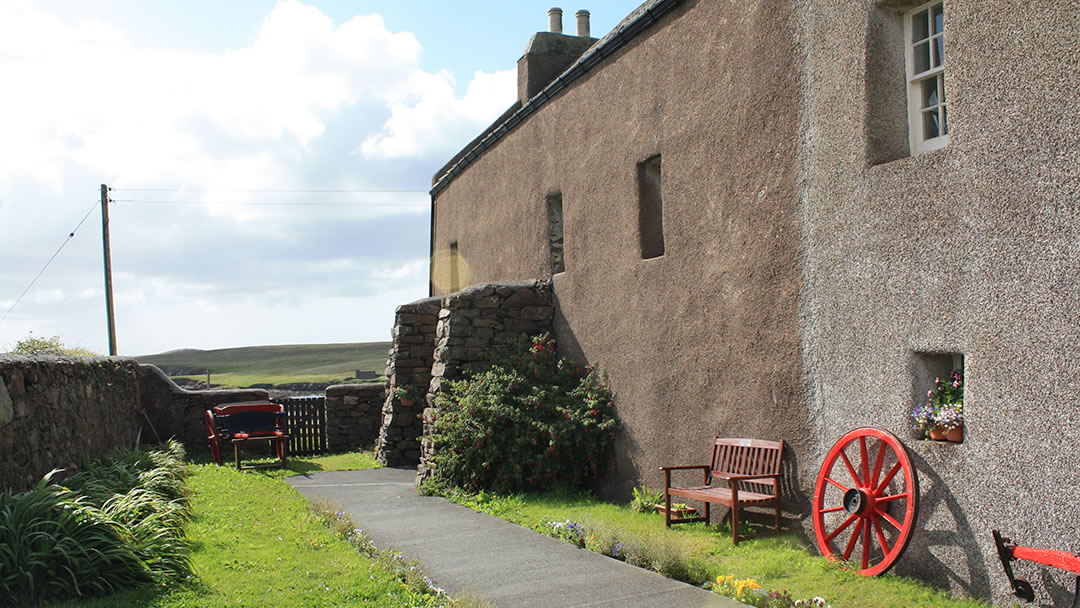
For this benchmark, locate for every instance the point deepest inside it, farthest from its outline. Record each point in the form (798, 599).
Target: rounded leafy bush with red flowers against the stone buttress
(532, 422)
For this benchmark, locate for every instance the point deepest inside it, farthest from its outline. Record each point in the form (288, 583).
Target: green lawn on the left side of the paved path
(258, 543)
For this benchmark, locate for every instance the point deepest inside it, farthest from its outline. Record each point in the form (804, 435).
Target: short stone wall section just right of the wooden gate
(354, 415)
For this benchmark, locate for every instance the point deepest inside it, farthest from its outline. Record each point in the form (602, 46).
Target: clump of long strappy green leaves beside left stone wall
(117, 525)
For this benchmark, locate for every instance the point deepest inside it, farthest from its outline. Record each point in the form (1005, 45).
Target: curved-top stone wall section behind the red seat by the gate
(180, 413)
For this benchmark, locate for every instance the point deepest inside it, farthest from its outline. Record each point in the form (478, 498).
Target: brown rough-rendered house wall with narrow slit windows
(704, 340)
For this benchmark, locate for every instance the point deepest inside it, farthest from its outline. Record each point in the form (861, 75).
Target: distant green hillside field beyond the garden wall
(274, 364)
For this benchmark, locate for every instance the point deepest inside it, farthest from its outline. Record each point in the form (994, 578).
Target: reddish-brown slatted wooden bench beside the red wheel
(750, 470)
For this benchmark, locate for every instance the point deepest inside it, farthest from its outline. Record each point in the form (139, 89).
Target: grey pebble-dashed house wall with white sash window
(973, 250)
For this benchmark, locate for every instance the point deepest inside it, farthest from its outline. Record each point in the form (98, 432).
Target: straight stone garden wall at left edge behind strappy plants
(58, 412)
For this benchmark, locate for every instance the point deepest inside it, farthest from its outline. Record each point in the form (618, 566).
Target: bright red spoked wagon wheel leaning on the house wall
(867, 495)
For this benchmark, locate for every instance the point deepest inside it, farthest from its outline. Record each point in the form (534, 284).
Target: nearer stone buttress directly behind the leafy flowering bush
(476, 325)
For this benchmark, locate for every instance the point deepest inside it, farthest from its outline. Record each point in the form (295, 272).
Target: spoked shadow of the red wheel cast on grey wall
(922, 558)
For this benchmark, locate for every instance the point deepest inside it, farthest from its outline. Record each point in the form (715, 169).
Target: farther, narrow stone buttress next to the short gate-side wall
(410, 366)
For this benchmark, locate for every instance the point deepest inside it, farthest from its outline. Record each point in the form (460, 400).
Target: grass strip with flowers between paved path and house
(703, 553)
